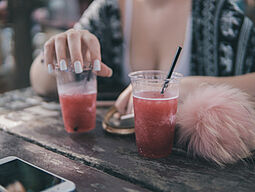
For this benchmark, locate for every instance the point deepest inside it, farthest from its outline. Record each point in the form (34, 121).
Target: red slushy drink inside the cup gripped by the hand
(79, 112)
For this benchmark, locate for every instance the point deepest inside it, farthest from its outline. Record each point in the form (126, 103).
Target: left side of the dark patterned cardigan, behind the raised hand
(102, 18)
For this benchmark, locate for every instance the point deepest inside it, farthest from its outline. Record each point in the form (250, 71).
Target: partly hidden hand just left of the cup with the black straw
(124, 103)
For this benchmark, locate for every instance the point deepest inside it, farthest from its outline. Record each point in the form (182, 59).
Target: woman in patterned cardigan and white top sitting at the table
(218, 41)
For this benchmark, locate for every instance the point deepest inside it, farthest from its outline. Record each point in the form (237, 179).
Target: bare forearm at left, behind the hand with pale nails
(42, 82)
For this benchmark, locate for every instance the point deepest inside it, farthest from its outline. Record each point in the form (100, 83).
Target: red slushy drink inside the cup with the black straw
(154, 123)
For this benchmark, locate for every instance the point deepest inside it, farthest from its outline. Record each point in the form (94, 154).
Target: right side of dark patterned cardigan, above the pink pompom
(223, 39)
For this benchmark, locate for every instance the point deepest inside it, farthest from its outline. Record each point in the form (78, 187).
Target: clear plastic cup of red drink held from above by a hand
(77, 95)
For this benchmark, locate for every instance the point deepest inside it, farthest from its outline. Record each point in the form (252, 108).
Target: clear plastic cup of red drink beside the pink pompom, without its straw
(155, 113)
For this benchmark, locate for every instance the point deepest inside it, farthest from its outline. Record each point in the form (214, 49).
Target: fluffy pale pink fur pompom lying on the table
(217, 123)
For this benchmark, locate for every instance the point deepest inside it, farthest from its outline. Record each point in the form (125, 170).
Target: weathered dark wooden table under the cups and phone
(32, 129)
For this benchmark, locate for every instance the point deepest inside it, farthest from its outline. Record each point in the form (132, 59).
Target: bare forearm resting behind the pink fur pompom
(243, 82)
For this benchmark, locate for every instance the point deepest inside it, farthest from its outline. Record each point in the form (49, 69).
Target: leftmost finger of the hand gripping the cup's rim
(49, 54)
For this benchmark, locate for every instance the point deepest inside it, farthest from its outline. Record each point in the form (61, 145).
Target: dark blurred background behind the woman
(26, 24)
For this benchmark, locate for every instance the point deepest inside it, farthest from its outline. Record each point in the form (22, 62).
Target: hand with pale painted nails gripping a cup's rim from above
(79, 47)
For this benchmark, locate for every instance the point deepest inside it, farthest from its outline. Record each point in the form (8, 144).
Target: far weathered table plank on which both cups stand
(40, 123)
